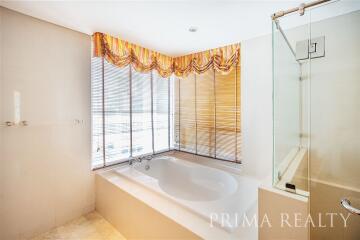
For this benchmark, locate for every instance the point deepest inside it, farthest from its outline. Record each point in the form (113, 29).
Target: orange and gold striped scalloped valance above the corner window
(121, 53)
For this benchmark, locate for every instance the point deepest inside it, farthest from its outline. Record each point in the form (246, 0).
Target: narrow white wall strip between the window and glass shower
(256, 106)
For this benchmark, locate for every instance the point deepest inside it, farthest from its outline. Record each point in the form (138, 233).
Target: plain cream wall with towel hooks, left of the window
(45, 168)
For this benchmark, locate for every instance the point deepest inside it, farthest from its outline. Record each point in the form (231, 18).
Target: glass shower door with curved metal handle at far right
(335, 124)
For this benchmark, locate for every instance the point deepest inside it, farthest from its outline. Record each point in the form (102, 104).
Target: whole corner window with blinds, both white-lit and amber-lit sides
(140, 113)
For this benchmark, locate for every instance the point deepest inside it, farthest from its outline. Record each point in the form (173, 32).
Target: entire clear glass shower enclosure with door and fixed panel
(316, 114)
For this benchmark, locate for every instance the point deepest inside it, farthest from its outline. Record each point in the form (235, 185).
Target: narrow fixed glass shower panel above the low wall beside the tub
(290, 86)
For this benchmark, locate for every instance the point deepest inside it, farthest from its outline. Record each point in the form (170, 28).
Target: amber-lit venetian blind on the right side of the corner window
(207, 114)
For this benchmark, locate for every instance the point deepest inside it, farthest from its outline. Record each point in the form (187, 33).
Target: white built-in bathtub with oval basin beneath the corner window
(210, 192)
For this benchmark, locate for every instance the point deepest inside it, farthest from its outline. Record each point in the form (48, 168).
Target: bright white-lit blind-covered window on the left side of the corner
(130, 113)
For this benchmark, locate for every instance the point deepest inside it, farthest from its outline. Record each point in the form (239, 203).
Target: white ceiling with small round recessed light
(163, 25)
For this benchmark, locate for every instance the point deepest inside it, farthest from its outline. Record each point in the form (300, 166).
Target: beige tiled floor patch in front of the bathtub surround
(88, 227)
